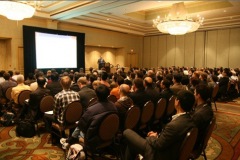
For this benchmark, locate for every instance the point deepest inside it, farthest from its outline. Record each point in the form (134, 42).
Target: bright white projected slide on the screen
(55, 51)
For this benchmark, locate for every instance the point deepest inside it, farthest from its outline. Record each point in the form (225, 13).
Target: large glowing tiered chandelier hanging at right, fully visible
(177, 22)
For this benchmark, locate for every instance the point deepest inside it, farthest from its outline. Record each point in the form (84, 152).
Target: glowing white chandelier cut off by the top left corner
(16, 10)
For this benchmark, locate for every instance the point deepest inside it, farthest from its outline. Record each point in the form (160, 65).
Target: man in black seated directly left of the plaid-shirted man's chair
(33, 106)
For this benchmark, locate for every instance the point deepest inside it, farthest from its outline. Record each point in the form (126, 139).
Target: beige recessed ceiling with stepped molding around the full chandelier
(135, 17)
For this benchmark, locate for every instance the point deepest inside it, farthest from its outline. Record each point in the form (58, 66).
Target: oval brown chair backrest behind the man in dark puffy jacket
(109, 127)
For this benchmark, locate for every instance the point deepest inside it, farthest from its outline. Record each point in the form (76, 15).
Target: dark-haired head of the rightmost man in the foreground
(202, 93)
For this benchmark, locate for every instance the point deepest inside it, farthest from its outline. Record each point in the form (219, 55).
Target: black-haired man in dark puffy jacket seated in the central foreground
(89, 123)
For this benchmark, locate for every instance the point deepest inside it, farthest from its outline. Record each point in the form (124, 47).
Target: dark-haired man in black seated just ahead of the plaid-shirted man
(55, 86)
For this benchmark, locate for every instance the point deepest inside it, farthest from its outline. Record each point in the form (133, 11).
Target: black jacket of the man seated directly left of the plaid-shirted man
(35, 99)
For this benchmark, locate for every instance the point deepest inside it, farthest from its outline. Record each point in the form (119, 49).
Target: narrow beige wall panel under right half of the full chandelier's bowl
(189, 49)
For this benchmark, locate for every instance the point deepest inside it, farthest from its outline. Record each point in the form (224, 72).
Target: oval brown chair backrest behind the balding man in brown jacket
(132, 117)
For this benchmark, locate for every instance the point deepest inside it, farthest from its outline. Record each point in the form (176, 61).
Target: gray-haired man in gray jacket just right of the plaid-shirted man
(85, 93)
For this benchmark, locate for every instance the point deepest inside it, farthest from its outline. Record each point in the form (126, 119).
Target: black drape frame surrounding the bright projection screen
(29, 48)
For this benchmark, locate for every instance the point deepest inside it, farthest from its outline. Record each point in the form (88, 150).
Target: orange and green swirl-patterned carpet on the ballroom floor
(223, 144)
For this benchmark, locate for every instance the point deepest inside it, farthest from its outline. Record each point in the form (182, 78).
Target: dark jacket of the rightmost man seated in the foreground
(202, 116)
